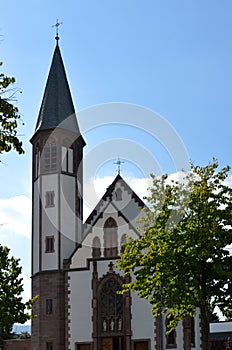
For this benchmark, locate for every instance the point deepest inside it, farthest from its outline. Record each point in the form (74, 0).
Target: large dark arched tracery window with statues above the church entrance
(111, 307)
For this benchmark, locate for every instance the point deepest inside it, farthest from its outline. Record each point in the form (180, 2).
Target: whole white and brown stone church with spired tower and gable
(73, 262)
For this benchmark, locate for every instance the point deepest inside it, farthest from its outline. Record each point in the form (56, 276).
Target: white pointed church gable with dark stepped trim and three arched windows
(119, 205)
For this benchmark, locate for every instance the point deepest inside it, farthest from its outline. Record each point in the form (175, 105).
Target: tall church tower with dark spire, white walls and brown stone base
(57, 178)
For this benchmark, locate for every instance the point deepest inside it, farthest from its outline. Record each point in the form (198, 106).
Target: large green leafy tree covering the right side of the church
(181, 261)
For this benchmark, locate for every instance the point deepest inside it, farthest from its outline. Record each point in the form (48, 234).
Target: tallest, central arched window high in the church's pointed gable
(110, 238)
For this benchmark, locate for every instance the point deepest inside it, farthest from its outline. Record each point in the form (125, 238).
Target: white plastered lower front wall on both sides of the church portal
(80, 308)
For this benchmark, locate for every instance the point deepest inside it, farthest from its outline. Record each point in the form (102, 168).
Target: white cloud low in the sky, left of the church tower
(15, 215)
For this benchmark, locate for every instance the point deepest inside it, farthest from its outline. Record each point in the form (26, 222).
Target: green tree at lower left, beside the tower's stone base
(12, 308)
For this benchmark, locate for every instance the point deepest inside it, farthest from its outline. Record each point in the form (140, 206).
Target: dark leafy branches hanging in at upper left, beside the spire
(9, 116)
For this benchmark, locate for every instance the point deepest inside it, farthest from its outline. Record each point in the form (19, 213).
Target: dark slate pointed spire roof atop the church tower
(57, 109)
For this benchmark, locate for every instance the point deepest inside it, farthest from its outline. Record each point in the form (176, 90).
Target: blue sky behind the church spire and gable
(172, 57)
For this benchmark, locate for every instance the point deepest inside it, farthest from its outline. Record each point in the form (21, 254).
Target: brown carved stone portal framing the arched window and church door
(111, 312)
